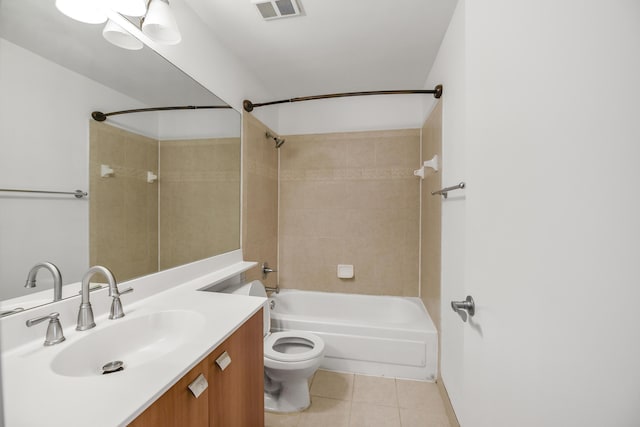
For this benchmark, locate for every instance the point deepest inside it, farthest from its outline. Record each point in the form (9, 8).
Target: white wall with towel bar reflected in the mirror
(44, 145)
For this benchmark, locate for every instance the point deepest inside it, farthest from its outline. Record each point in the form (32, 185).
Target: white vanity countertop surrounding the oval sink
(34, 395)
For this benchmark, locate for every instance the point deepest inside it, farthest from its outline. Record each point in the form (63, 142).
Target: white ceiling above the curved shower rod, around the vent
(337, 46)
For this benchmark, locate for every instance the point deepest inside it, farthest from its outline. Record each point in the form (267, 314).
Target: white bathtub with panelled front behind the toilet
(372, 335)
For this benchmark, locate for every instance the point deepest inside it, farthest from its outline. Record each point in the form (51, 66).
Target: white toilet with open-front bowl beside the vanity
(290, 359)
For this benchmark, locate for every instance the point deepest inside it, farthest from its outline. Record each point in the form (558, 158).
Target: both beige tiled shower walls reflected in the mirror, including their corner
(195, 216)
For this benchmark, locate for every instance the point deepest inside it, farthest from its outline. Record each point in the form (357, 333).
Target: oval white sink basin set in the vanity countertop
(134, 341)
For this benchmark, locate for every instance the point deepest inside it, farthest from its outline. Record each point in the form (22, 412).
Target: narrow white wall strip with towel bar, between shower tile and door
(449, 70)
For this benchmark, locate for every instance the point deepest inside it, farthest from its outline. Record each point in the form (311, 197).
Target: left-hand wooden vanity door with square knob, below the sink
(178, 406)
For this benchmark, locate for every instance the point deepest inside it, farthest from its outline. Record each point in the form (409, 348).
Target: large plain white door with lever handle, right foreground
(552, 233)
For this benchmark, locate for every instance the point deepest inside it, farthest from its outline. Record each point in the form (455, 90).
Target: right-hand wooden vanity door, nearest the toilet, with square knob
(236, 394)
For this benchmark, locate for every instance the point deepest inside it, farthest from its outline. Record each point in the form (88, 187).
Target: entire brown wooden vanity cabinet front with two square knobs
(235, 395)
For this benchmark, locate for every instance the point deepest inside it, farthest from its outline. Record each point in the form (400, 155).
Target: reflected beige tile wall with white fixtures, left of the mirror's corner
(123, 212)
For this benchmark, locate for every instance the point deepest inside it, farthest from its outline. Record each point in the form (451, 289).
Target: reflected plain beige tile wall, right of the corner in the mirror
(199, 199)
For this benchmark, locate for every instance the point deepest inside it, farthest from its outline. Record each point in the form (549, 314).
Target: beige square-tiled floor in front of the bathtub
(348, 400)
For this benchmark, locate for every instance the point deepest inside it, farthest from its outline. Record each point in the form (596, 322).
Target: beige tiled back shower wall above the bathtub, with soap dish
(350, 198)
